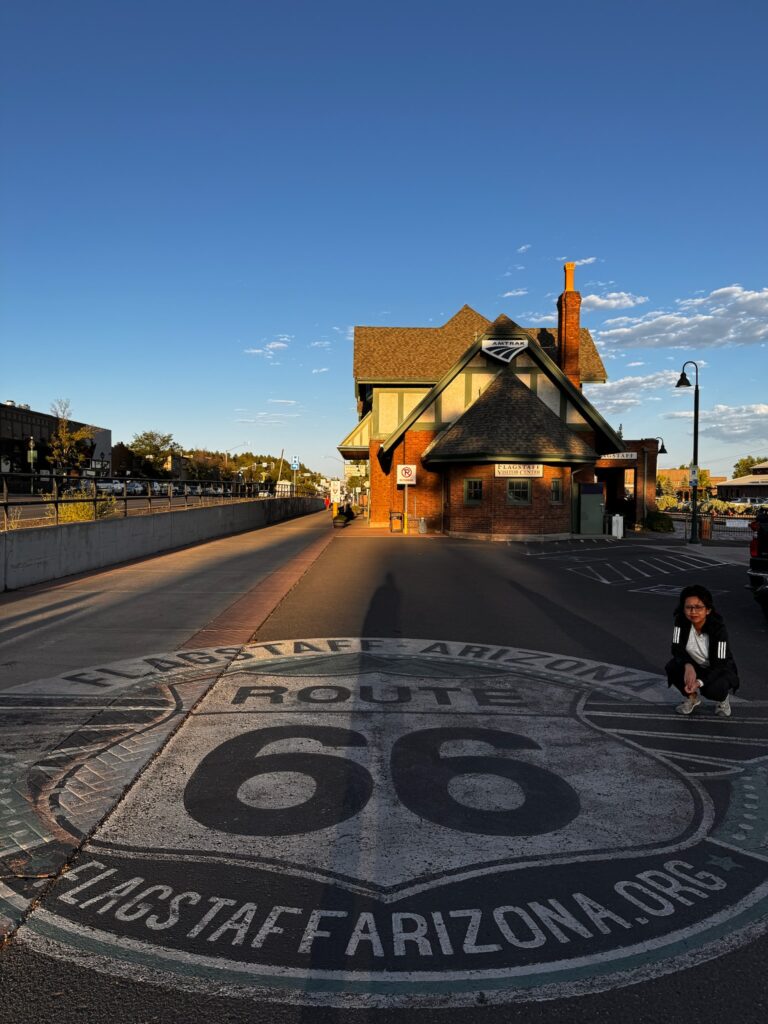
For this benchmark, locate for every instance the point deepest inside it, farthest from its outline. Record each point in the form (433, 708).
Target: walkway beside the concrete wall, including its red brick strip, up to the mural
(216, 593)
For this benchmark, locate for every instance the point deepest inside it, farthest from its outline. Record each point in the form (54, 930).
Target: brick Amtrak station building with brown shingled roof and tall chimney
(482, 430)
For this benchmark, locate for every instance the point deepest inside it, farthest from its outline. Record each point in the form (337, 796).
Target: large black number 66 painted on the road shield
(420, 776)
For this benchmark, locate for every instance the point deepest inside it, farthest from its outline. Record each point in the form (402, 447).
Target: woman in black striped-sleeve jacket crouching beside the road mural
(702, 663)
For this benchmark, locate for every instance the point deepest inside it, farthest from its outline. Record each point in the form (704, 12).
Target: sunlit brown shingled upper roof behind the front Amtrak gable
(418, 356)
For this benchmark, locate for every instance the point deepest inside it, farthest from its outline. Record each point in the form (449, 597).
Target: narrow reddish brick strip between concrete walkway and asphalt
(239, 623)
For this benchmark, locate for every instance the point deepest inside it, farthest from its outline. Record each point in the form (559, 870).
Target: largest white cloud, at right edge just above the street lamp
(731, 316)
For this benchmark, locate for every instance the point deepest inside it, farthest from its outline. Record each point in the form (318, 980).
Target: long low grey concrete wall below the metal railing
(29, 557)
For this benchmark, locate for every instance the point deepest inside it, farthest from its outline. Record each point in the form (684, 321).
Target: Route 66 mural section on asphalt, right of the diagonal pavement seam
(377, 823)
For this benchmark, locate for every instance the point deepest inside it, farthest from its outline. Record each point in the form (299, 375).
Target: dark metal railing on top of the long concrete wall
(29, 500)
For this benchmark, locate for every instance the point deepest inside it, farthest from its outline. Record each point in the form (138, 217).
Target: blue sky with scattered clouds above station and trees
(200, 198)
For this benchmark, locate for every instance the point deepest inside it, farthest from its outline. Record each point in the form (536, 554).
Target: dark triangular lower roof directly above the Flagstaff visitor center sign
(508, 423)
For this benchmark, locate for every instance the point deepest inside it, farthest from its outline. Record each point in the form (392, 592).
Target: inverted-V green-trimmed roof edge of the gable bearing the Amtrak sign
(608, 440)
